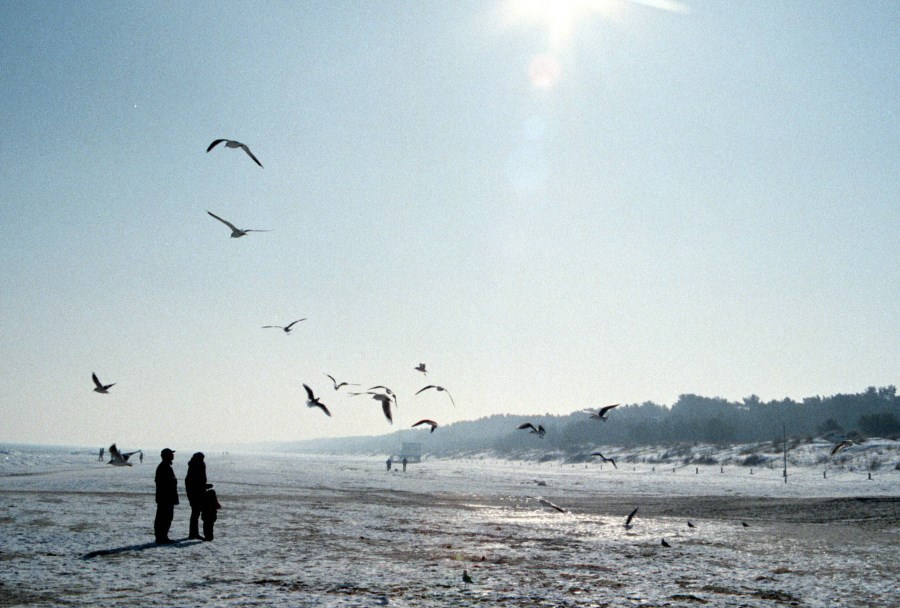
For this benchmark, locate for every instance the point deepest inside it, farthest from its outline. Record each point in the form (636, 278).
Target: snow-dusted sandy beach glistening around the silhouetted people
(299, 530)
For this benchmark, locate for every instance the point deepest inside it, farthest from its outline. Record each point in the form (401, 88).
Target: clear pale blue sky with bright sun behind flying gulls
(554, 205)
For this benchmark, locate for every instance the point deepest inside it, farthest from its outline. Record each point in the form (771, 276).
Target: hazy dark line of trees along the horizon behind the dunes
(691, 419)
